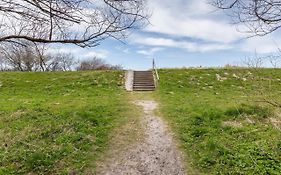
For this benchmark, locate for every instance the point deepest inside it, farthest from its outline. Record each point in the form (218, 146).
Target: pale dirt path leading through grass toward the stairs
(155, 154)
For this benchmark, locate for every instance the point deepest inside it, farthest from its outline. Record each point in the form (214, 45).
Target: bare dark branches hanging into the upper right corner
(261, 17)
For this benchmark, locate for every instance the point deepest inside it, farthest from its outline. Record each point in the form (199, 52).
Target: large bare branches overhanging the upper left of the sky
(81, 22)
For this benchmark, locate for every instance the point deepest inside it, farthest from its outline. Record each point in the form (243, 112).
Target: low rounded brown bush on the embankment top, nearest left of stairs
(96, 64)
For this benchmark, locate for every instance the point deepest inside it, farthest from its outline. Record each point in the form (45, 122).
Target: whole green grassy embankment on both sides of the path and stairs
(60, 123)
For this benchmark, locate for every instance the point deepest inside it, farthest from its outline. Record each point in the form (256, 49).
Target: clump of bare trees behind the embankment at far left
(30, 56)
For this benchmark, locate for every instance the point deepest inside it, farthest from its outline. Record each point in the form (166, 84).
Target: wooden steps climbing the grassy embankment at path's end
(143, 81)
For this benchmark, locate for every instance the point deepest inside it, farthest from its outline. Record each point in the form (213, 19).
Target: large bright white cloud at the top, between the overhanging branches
(190, 19)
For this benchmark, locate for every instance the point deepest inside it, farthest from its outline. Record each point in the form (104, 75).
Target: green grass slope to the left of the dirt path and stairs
(57, 123)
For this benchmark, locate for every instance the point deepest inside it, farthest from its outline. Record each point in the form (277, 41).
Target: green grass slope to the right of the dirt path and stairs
(219, 126)
